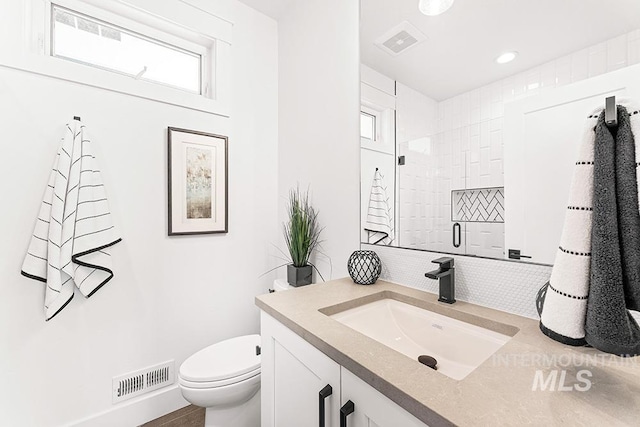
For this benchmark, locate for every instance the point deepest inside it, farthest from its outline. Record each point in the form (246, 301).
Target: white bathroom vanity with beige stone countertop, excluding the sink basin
(313, 365)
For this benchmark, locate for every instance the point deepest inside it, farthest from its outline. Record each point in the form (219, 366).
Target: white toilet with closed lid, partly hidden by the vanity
(224, 378)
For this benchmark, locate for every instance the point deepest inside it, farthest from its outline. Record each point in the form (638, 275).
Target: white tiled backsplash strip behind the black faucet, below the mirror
(504, 285)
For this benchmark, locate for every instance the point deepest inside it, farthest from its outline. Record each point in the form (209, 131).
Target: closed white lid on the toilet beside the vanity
(223, 360)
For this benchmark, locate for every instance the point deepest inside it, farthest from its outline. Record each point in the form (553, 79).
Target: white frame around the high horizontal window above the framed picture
(188, 29)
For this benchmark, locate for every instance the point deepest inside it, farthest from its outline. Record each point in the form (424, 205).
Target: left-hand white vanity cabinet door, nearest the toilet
(293, 374)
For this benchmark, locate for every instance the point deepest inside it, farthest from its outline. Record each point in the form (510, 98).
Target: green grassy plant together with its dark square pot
(302, 236)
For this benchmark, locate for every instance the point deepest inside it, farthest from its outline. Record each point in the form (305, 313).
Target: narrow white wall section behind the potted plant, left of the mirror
(318, 118)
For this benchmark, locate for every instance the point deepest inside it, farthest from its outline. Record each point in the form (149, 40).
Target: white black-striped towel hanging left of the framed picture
(73, 232)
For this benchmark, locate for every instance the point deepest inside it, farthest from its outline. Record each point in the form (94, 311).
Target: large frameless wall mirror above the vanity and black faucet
(466, 151)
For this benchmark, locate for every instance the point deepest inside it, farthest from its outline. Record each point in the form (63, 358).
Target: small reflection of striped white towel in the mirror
(379, 224)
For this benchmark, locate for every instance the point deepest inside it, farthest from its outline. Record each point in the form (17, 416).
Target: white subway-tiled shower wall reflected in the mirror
(466, 148)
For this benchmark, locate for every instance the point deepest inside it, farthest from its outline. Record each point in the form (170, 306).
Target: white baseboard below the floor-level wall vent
(137, 411)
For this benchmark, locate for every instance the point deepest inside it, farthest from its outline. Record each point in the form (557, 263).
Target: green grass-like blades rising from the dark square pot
(301, 231)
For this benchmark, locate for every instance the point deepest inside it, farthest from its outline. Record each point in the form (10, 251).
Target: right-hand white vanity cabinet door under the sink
(371, 408)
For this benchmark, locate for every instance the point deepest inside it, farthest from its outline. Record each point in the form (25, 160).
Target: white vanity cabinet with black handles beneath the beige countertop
(293, 374)
